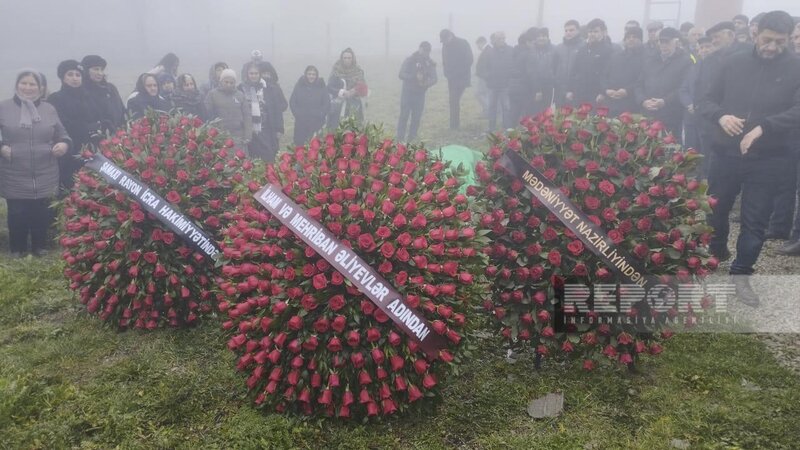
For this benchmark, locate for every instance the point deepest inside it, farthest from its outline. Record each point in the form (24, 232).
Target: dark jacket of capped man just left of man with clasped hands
(623, 72)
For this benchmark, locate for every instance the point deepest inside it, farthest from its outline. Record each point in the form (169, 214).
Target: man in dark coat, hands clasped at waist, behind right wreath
(661, 80)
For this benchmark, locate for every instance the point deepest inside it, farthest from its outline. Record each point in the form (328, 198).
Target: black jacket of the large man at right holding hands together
(764, 92)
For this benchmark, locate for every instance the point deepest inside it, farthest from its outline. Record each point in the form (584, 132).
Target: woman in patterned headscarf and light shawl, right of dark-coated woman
(346, 86)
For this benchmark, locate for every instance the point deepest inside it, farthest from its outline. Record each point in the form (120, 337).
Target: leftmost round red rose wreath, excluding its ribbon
(127, 266)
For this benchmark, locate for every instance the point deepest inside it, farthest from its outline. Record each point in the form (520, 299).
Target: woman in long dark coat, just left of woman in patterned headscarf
(310, 104)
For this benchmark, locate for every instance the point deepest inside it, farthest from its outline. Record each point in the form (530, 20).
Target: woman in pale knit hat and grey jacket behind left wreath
(229, 105)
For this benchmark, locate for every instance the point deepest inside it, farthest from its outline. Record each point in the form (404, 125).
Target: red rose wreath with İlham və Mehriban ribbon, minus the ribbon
(309, 341)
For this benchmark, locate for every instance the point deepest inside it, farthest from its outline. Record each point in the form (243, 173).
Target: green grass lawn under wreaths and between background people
(67, 381)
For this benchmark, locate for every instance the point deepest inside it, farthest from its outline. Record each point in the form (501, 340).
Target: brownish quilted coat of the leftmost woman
(32, 171)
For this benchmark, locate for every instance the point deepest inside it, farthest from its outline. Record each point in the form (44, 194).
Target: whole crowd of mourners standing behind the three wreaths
(731, 91)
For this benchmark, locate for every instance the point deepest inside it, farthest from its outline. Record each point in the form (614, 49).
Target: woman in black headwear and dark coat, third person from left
(103, 95)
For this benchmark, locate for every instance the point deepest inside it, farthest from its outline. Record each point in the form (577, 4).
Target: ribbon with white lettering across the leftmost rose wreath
(153, 203)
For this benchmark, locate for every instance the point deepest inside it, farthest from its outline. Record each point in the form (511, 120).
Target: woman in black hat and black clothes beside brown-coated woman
(78, 115)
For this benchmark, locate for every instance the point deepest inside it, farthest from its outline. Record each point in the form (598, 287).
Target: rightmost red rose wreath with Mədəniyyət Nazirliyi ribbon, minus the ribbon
(631, 181)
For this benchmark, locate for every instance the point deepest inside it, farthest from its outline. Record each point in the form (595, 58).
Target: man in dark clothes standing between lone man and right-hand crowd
(457, 67)
